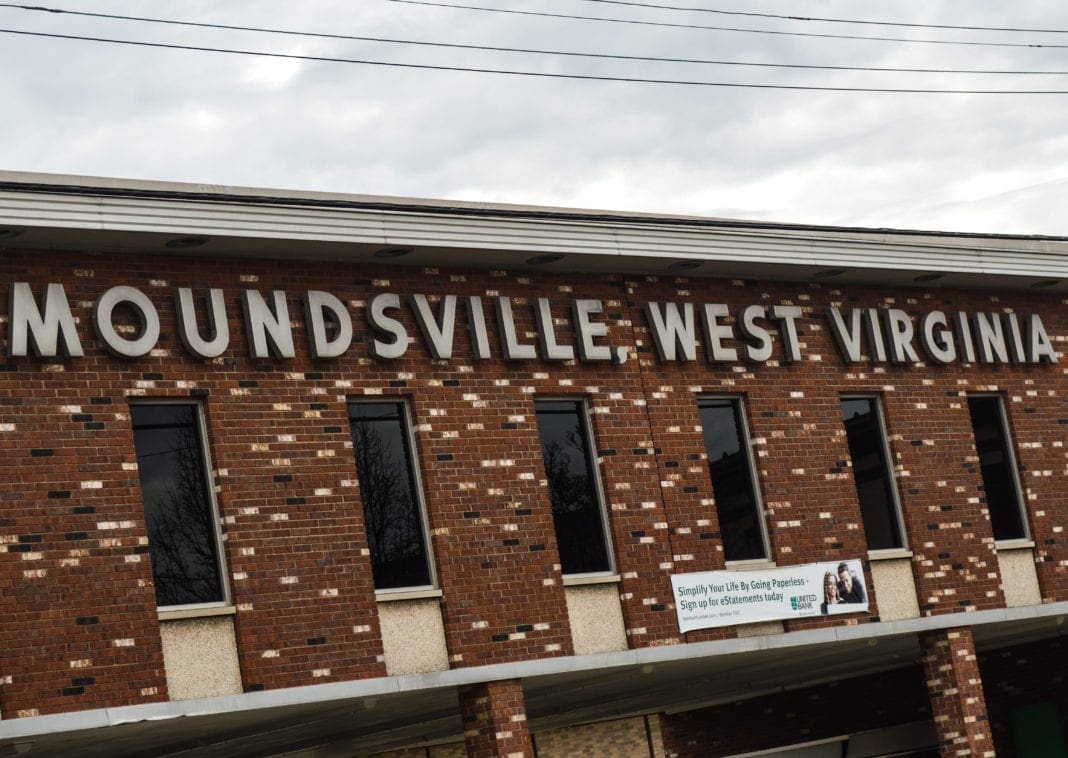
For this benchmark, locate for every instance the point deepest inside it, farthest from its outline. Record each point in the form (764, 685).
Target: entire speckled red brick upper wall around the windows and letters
(293, 500)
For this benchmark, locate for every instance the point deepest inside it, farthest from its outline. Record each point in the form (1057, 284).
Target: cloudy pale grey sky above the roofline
(943, 162)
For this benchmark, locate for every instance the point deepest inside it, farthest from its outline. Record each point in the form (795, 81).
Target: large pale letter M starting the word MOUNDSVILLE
(48, 335)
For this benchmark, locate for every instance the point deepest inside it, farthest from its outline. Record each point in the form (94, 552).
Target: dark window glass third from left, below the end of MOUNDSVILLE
(577, 512)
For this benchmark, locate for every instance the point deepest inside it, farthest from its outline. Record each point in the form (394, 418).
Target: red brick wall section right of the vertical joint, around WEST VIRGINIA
(795, 421)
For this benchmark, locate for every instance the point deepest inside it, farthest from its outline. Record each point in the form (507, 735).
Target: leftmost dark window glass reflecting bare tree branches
(183, 538)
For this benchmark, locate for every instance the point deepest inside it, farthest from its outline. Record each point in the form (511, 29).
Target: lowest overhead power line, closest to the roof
(544, 75)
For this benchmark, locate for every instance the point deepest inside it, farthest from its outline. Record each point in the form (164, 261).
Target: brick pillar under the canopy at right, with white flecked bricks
(955, 689)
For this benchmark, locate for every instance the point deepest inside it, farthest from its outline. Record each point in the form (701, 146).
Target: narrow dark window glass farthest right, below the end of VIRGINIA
(996, 463)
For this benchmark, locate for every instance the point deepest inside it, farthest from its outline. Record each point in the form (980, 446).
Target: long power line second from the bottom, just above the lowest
(526, 51)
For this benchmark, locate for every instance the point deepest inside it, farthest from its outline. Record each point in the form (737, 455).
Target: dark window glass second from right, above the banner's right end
(872, 473)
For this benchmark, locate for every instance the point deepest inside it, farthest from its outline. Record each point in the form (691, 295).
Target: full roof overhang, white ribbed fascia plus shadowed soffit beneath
(239, 222)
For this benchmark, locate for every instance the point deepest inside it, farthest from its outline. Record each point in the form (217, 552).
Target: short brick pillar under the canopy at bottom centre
(495, 720)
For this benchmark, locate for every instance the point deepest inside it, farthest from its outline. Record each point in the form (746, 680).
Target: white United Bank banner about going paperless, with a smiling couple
(711, 599)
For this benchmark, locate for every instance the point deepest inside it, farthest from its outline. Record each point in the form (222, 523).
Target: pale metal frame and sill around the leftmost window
(214, 607)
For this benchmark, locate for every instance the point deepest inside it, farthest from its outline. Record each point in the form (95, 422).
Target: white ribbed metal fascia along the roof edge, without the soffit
(651, 241)
